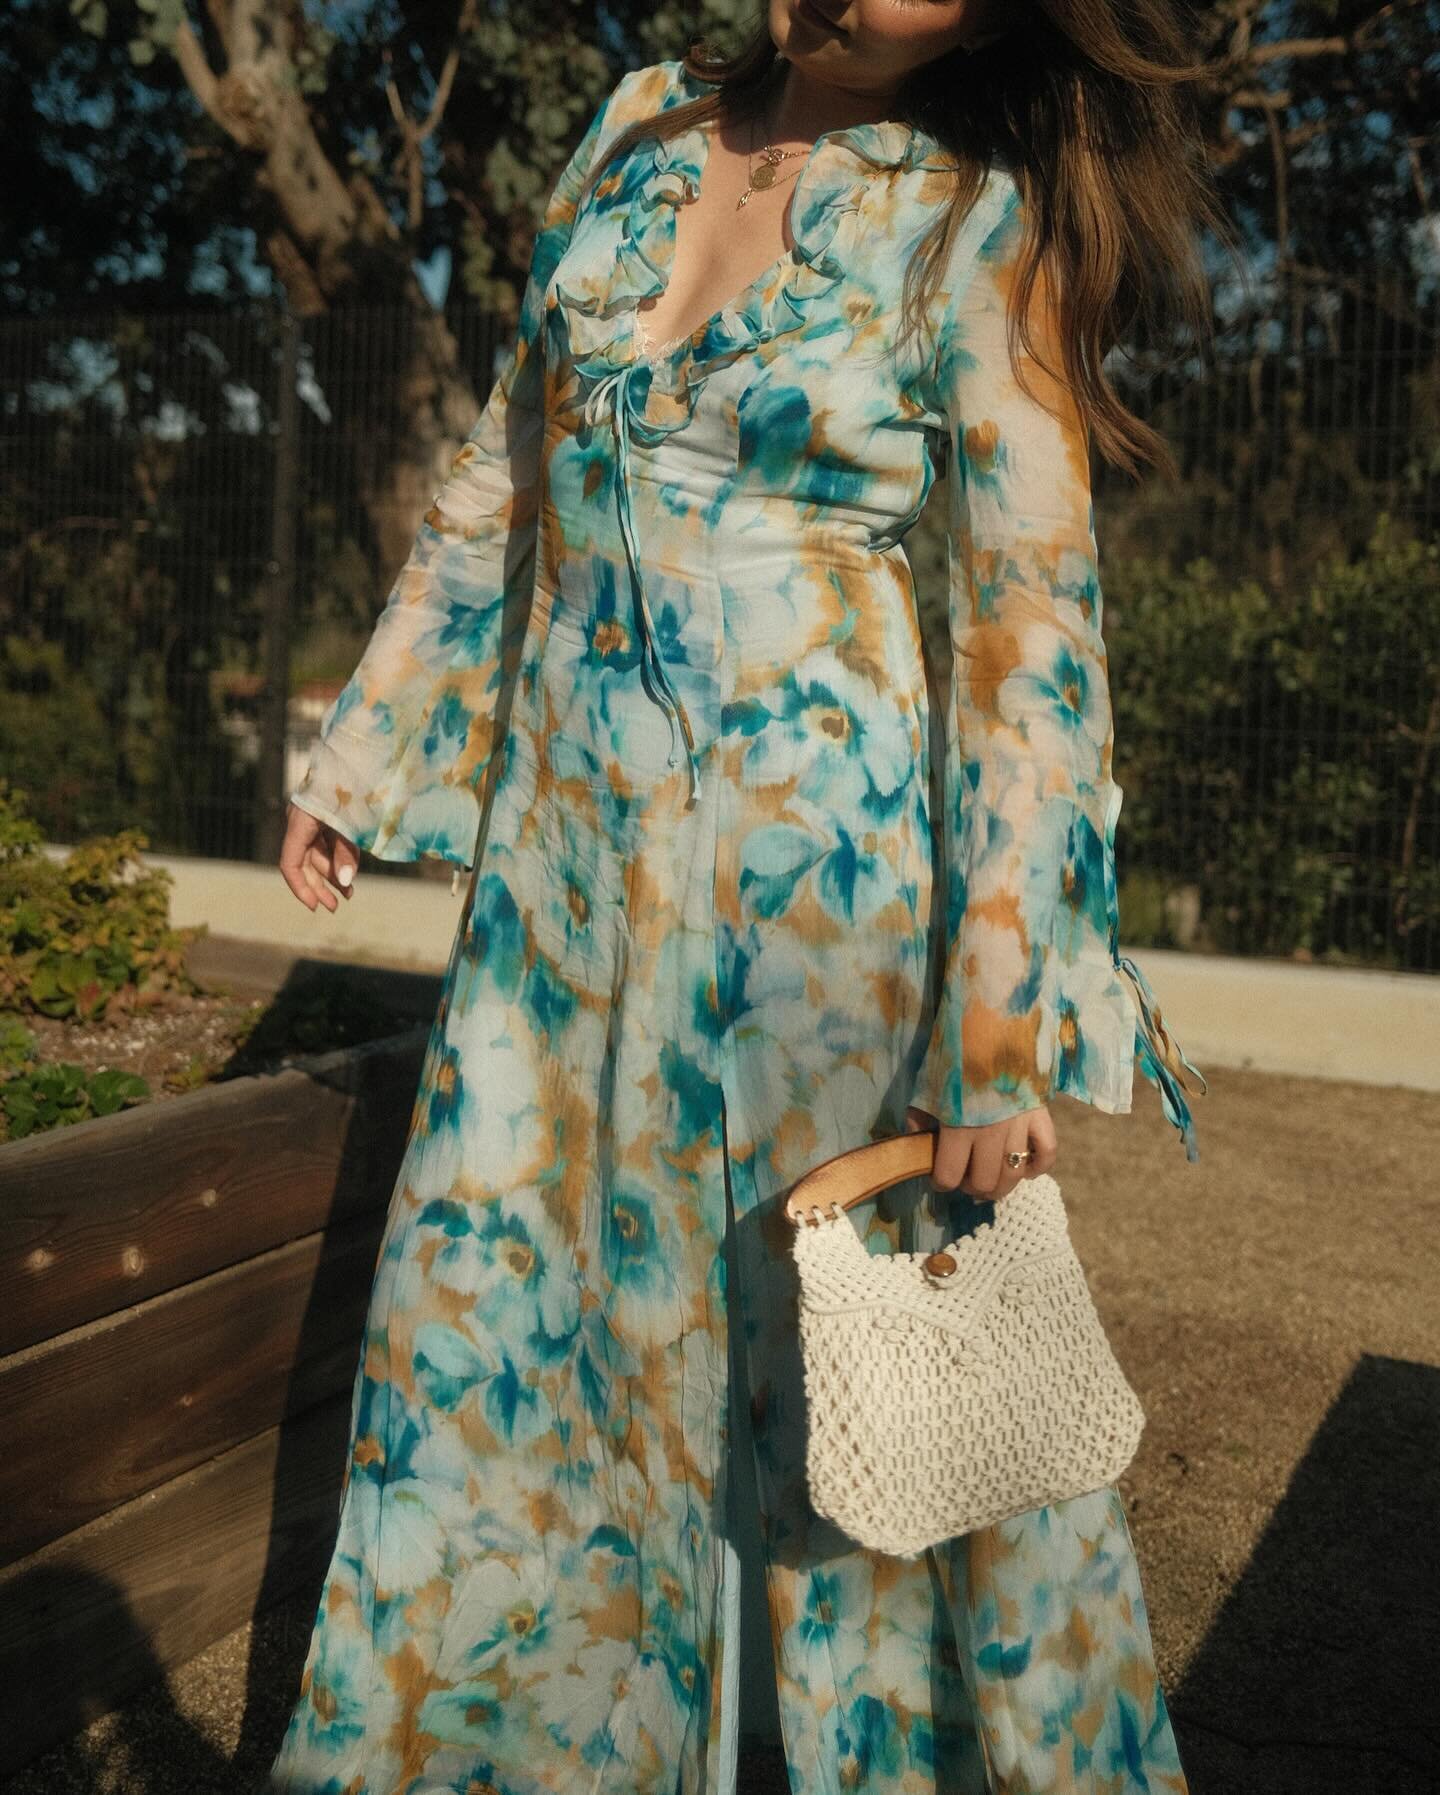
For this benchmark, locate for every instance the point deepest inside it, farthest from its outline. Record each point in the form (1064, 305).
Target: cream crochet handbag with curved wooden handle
(958, 1388)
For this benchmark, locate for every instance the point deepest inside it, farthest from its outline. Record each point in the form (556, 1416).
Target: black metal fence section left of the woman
(198, 525)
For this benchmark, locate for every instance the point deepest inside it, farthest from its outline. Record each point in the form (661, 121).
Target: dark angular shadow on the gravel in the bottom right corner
(1326, 1658)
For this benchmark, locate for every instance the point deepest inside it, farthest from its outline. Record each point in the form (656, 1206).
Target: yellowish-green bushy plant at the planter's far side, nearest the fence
(78, 933)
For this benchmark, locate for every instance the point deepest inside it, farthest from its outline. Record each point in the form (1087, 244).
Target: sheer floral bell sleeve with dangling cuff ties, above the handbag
(1035, 997)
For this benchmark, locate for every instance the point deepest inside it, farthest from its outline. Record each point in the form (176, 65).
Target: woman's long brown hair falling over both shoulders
(1087, 101)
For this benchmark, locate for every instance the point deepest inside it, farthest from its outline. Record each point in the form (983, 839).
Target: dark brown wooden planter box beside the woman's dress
(184, 1295)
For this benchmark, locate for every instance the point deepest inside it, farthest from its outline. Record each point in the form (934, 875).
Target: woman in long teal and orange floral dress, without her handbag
(654, 672)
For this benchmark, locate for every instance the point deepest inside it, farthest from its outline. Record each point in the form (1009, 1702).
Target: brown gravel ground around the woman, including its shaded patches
(1276, 1309)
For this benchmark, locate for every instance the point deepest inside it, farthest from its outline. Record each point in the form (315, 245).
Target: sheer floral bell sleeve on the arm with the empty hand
(407, 742)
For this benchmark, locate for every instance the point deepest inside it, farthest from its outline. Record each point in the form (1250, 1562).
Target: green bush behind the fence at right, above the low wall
(1283, 753)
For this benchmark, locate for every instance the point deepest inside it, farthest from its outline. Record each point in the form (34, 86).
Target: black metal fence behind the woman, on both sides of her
(202, 514)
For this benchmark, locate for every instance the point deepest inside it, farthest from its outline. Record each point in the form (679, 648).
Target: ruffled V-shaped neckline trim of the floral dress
(656, 180)
